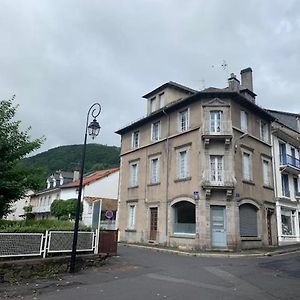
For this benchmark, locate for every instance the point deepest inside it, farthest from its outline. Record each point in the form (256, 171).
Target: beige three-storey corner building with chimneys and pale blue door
(196, 172)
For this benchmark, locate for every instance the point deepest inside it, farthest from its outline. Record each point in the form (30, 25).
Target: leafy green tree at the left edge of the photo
(15, 144)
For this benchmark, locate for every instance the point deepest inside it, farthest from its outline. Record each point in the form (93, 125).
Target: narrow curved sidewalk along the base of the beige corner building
(267, 251)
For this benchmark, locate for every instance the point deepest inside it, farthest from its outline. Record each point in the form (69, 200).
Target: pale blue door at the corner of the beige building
(218, 226)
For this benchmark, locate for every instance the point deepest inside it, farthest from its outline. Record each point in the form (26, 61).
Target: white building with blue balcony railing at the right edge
(286, 168)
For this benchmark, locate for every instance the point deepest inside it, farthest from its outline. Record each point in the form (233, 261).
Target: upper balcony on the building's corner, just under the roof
(221, 130)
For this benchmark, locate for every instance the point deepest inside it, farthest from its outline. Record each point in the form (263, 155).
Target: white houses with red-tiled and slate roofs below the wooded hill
(97, 185)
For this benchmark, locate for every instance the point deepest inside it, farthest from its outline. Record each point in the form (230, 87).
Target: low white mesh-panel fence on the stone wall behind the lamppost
(38, 244)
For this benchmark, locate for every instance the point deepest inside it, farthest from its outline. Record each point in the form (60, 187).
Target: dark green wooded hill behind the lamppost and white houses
(68, 158)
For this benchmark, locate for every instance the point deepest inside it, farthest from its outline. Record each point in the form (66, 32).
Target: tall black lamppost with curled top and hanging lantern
(93, 130)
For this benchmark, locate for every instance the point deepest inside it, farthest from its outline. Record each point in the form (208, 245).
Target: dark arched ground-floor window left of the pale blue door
(184, 217)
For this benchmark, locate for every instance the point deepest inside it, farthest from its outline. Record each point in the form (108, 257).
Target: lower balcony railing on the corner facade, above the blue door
(222, 179)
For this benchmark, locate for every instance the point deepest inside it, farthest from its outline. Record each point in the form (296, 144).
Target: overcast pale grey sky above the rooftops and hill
(60, 56)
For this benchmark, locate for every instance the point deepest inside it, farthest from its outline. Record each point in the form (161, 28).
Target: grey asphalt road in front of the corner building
(146, 274)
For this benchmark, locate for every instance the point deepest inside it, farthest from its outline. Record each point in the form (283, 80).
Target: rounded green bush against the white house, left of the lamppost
(65, 209)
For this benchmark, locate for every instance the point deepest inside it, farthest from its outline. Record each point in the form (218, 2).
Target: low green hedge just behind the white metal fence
(38, 226)
